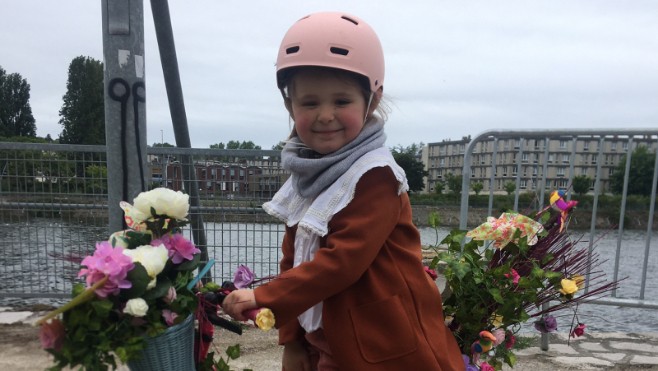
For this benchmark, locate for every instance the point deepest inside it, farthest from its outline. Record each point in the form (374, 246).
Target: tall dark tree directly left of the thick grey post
(83, 113)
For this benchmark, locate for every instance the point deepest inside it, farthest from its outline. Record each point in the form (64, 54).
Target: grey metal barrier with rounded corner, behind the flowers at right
(632, 298)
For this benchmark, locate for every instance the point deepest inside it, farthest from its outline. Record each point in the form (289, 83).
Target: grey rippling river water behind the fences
(49, 270)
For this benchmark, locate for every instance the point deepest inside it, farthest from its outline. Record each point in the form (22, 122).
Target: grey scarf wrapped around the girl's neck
(312, 172)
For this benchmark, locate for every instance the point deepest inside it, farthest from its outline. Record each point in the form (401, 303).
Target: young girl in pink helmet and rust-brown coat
(352, 293)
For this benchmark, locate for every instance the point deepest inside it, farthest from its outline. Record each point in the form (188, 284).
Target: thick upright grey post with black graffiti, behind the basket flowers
(125, 107)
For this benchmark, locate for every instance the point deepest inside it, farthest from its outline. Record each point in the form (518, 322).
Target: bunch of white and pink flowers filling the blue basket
(138, 285)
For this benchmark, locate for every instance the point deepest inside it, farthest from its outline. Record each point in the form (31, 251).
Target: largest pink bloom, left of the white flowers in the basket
(107, 261)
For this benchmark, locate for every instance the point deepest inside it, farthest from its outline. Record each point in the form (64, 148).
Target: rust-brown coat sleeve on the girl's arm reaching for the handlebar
(356, 235)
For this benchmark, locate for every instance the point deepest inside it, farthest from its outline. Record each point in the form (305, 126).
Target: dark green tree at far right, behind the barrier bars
(640, 174)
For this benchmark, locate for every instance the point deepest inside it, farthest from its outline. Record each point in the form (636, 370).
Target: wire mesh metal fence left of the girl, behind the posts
(53, 209)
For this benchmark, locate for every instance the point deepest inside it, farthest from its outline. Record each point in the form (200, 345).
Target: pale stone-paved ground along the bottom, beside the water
(595, 351)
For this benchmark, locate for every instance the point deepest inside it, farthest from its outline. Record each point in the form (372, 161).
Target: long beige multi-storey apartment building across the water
(564, 158)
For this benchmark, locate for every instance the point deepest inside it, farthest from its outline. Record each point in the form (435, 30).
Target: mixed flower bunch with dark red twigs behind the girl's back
(528, 268)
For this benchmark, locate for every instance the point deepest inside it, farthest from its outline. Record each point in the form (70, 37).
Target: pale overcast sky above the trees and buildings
(453, 68)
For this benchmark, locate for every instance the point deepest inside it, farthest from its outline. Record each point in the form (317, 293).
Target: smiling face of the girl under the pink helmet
(328, 110)
